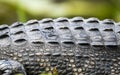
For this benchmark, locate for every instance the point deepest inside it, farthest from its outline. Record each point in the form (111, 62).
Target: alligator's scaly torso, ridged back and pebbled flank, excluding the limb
(74, 46)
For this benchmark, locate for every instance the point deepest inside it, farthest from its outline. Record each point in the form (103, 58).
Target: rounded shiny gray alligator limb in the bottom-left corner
(10, 67)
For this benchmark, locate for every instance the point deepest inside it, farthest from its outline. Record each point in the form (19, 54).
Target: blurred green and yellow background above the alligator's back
(23, 10)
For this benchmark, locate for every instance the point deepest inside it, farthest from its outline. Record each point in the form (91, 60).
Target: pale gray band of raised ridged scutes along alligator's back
(61, 30)
